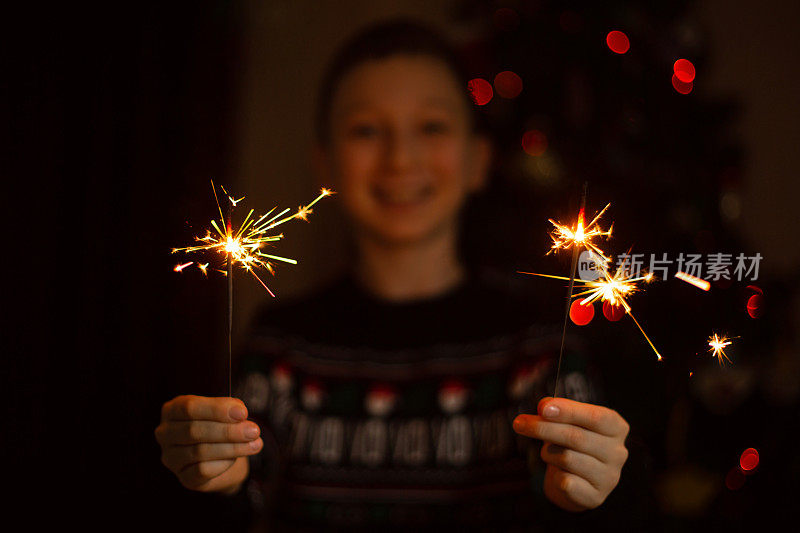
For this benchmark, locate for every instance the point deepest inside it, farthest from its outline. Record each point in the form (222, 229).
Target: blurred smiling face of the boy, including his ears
(401, 150)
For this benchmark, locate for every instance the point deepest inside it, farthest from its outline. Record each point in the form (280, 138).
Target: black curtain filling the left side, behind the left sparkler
(118, 118)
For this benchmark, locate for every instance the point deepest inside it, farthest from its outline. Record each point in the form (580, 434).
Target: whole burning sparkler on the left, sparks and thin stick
(243, 247)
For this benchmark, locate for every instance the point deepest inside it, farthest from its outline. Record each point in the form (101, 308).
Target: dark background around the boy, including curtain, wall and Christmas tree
(119, 118)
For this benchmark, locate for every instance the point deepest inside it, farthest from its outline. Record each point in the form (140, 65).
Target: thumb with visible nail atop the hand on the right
(592, 417)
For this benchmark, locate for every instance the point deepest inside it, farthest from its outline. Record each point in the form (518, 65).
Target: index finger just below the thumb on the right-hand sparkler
(566, 435)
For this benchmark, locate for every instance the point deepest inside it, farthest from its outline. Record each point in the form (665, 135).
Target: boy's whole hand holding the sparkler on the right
(583, 446)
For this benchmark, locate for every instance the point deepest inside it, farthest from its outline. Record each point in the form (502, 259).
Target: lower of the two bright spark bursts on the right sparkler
(614, 289)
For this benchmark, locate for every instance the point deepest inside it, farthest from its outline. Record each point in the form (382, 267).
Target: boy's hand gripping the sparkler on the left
(205, 442)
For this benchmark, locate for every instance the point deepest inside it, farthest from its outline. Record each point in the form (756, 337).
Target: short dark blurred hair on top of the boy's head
(381, 41)
